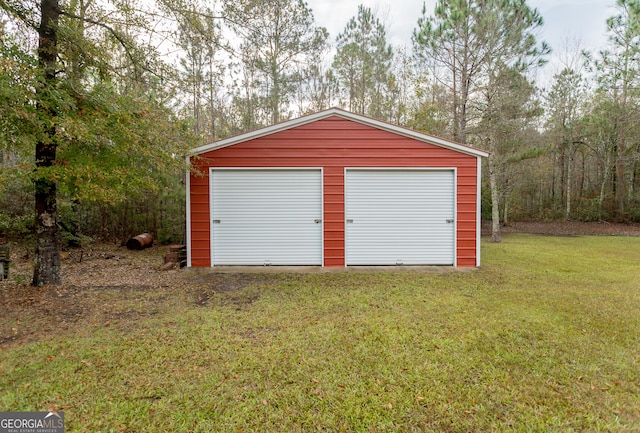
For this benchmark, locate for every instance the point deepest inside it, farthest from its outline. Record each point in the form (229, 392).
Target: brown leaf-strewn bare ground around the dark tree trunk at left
(107, 285)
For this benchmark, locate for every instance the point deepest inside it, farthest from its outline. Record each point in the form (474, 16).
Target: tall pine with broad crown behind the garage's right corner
(469, 44)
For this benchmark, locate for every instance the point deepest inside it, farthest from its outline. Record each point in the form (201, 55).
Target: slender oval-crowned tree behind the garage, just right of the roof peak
(363, 65)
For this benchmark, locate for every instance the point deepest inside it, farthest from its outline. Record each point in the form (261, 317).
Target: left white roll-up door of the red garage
(266, 217)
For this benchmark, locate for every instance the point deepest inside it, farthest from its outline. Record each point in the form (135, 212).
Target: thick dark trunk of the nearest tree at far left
(47, 255)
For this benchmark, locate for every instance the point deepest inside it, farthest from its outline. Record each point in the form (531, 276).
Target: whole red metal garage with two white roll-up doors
(334, 189)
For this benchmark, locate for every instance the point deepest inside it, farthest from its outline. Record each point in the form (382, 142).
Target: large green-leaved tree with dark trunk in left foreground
(92, 138)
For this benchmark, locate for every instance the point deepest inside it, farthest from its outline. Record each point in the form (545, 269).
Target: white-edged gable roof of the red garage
(337, 112)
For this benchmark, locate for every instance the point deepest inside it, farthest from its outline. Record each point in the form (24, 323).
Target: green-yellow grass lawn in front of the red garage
(545, 337)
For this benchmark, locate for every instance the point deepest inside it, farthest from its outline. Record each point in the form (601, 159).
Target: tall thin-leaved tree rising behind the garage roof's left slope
(277, 39)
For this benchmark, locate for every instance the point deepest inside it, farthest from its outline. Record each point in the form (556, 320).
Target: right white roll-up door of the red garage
(400, 217)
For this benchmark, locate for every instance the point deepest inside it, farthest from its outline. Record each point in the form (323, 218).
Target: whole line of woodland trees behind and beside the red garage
(100, 100)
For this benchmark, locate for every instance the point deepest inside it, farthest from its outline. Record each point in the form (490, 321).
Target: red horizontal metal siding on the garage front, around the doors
(335, 144)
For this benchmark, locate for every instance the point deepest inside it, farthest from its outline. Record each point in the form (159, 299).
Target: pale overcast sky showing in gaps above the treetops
(564, 20)
